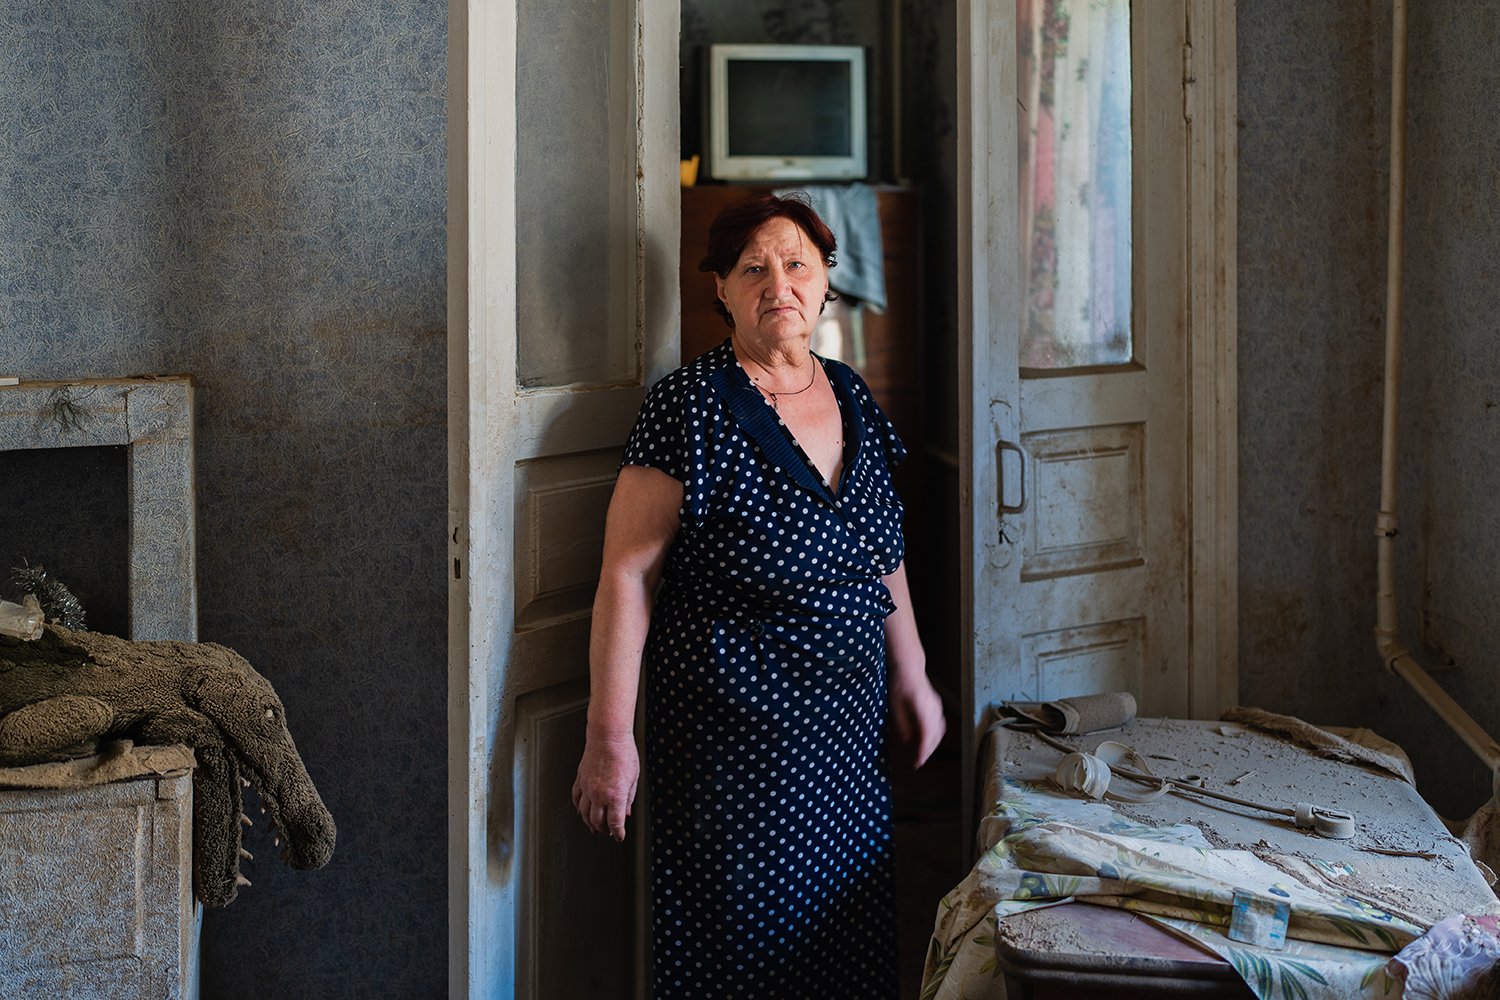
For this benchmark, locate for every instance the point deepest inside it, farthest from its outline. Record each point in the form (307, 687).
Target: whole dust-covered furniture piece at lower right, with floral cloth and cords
(1183, 894)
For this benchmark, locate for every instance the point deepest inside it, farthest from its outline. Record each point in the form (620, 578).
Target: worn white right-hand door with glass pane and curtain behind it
(1100, 549)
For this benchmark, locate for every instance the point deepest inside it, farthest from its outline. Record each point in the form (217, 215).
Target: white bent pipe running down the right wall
(1388, 632)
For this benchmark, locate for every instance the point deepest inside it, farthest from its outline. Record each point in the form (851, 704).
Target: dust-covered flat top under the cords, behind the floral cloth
(1429, 878)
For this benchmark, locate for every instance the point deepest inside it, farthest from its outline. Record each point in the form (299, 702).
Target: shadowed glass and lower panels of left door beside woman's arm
(581, 338)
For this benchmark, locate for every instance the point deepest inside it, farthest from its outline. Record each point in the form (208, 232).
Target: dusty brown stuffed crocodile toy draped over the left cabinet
(65, 693)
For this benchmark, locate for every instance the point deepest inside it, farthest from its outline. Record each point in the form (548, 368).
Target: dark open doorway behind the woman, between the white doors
(905, 349)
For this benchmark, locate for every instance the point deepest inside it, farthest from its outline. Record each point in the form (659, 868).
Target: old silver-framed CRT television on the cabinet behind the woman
(787, 113)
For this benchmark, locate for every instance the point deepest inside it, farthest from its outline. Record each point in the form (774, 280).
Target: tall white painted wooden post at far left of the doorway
(482, 404)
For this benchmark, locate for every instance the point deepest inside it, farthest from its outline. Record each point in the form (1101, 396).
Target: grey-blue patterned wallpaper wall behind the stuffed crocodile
(254, 194)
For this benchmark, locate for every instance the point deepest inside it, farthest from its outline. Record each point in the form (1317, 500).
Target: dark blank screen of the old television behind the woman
(790, 107)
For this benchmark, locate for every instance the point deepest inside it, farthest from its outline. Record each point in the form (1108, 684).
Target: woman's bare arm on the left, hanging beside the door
(640, 528)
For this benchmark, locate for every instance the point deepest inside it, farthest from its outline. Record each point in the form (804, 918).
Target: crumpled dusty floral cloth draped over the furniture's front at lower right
(1049, 848)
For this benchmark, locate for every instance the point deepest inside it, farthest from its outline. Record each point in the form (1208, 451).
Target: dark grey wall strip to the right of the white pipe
(1451, 388)
